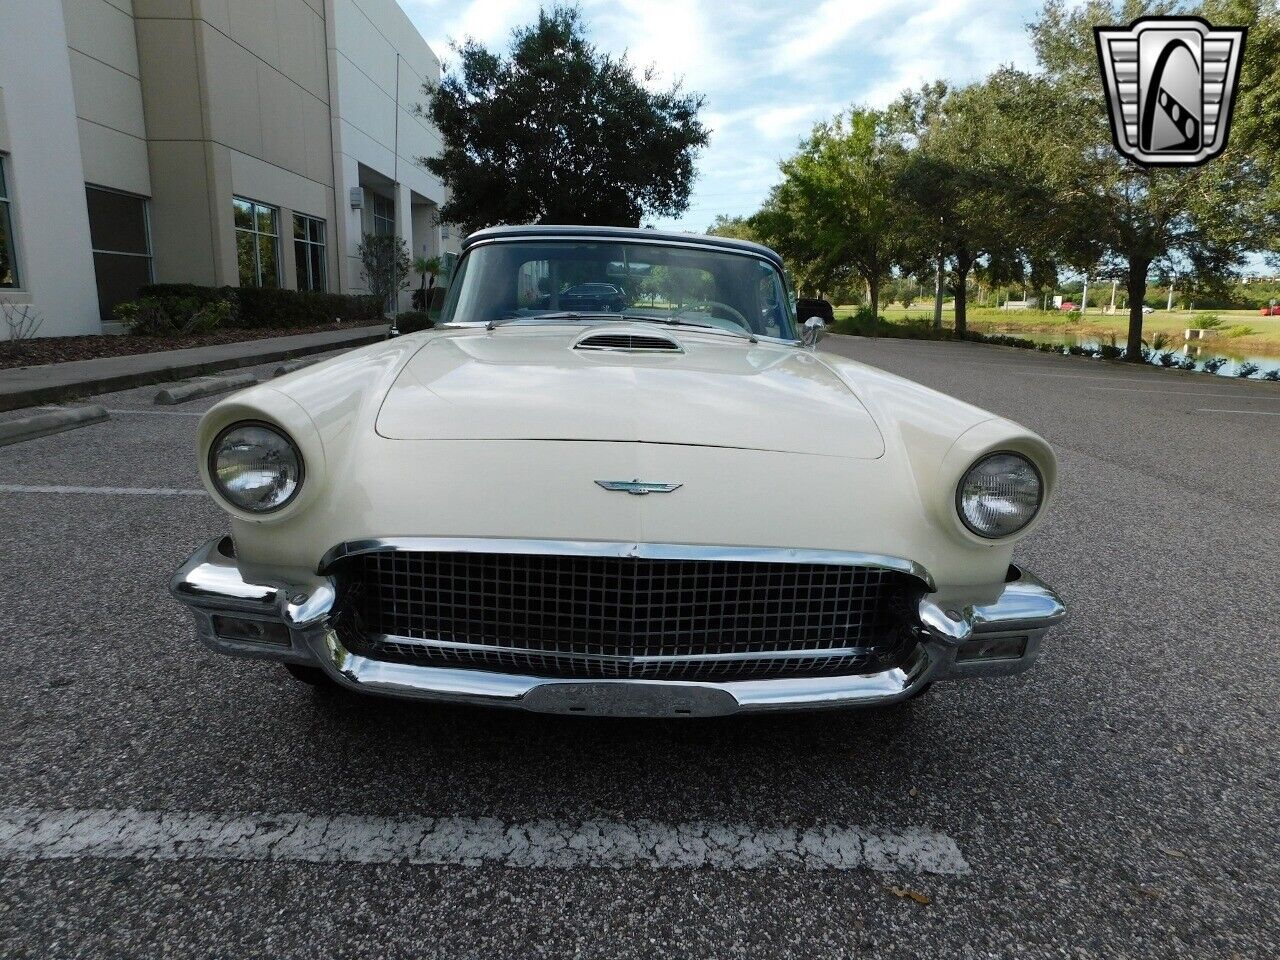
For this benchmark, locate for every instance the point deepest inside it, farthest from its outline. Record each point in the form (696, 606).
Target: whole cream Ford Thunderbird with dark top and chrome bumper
(619, 479)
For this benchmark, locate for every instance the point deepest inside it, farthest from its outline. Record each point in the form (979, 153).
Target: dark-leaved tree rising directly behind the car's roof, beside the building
(559, 132)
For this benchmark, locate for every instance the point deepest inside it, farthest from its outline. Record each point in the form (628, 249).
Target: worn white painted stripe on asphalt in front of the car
(296, 838)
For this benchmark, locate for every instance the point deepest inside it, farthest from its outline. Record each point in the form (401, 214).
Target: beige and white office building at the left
(207, 141)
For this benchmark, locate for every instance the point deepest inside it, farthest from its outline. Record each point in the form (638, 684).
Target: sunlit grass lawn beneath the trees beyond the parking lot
(1264, 340)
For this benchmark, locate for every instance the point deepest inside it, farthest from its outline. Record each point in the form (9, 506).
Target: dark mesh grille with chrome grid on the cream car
(611, 618)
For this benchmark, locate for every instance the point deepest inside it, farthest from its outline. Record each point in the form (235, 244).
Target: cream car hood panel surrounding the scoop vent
(533, 385)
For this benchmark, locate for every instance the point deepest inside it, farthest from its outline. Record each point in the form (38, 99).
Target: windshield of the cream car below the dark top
(701, 287)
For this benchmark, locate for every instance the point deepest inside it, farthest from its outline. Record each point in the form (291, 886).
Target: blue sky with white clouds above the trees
(769, 70)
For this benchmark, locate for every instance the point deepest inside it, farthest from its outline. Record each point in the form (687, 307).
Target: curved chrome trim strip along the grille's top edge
(609, 548)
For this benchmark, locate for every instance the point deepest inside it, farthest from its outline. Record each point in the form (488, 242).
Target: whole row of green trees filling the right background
(1016, 177)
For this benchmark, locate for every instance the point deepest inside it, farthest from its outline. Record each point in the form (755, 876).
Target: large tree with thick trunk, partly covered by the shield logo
(1119, 214)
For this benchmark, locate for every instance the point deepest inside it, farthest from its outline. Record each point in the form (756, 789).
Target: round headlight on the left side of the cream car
(255, 467)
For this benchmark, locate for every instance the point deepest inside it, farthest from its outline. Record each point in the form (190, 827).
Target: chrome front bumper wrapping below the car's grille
(294, 624)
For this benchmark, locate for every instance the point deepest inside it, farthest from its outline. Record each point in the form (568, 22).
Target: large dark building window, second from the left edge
(121, 237)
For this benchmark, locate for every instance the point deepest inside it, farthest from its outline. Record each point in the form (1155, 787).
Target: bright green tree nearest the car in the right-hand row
(838, 212)
